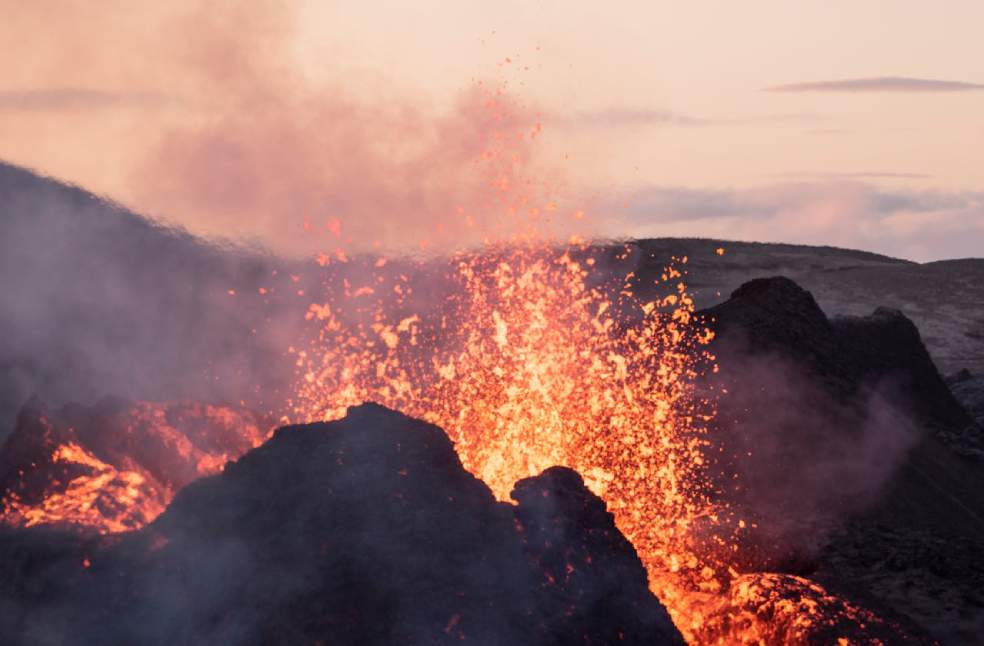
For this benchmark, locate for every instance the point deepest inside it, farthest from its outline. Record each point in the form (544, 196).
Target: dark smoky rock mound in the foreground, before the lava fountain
(362, 531)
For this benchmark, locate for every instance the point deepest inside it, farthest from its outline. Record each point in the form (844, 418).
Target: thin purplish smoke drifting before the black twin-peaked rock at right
(800, 460)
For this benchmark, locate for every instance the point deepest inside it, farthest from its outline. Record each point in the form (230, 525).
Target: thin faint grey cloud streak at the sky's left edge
(74, 98)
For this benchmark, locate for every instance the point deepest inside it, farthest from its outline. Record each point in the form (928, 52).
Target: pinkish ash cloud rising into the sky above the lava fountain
(307, 165)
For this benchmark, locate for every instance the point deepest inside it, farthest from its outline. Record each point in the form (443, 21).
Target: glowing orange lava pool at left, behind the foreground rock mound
(116, 466)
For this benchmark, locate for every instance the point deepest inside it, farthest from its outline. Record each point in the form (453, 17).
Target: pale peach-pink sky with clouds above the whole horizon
(849, 123)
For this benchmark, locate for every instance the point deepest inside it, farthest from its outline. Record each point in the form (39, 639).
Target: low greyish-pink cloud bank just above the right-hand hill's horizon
(916, 224)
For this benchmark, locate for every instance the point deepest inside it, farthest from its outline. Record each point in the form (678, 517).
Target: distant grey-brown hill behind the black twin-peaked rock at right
(945, 299)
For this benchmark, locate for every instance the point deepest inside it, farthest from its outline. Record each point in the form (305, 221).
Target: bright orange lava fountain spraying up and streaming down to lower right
(526, 365)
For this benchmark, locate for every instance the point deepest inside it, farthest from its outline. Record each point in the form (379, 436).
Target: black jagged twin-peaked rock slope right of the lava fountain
(836, 428)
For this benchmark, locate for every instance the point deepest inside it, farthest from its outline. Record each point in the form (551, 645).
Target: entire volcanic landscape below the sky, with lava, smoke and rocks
(596, 452)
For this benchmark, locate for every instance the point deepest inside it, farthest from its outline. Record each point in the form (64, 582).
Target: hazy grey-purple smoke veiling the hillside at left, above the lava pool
(99, 301)
